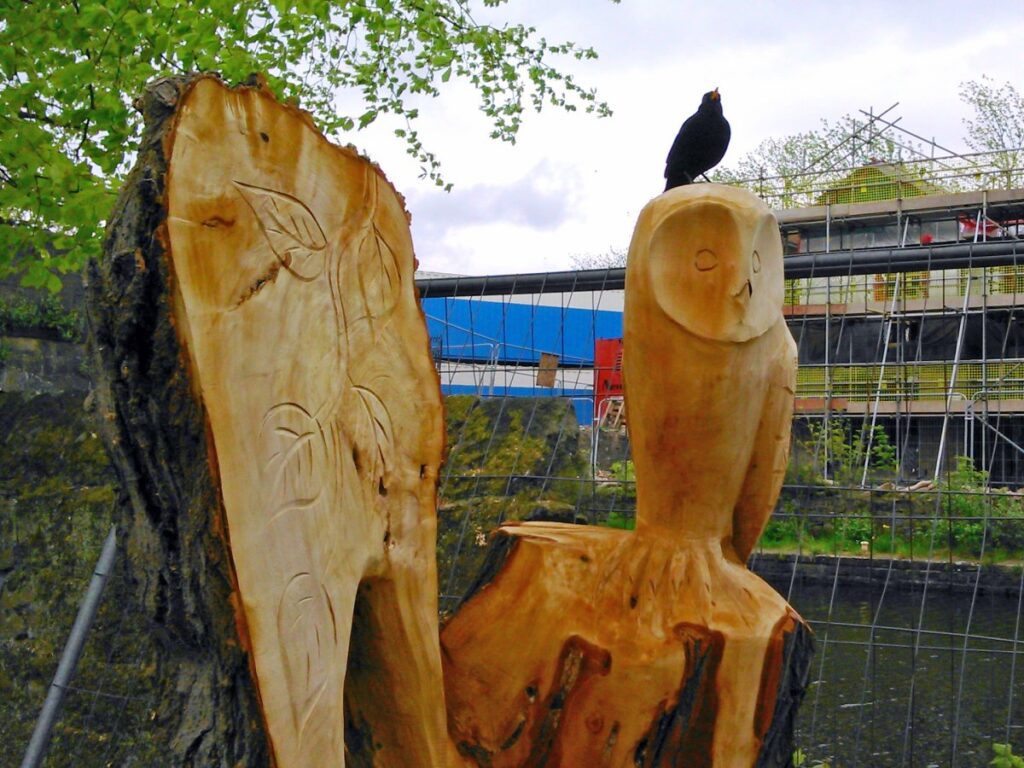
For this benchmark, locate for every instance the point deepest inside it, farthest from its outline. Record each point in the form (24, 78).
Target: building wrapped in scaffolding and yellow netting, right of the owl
(932, 357)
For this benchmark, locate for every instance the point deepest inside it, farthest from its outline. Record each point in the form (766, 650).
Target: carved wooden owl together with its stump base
(590, 647)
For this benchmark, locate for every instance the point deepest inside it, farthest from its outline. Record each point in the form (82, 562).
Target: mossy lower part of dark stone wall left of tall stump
(58, 493)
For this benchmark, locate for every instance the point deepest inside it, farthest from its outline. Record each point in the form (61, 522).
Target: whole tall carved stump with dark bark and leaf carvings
(275, 414)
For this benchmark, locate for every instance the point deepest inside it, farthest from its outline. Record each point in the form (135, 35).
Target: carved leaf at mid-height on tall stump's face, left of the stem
(293, 452)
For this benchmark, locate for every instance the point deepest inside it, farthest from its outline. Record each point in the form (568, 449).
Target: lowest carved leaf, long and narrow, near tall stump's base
(309, 635)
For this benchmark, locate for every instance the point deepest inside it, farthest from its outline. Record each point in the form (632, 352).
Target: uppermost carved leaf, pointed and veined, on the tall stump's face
(291, 229)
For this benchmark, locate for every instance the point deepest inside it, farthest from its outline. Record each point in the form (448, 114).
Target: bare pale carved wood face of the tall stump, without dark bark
(288, 282)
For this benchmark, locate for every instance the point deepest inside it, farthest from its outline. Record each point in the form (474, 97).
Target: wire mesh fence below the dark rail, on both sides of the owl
(900, 534)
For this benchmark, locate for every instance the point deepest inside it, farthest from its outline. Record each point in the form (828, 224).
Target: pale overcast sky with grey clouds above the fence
(575, 185)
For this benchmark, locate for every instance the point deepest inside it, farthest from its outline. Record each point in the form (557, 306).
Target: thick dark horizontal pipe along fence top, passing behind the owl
(866, 262)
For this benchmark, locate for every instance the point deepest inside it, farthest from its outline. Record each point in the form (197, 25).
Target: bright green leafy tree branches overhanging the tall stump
(78, 68)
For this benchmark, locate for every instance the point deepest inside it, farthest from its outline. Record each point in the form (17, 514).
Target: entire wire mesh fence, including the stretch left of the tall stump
(900, 534)
